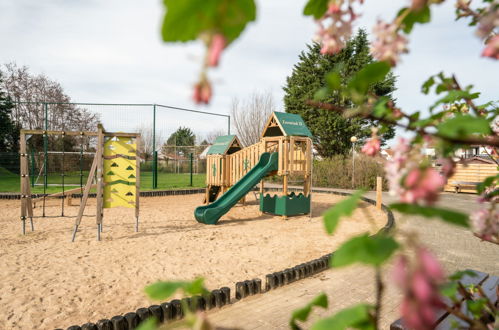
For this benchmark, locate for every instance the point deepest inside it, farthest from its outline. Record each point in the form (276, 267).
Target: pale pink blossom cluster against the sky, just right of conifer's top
(389, 43)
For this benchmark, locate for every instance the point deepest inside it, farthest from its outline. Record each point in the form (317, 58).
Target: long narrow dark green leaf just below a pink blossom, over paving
(450, 216)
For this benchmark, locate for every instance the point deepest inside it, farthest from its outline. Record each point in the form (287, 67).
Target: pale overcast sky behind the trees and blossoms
(110, 51)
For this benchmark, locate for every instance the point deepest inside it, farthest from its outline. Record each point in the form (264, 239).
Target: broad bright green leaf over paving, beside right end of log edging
(373, 250)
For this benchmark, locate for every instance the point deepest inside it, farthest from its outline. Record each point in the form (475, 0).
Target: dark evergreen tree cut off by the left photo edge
(9, 130)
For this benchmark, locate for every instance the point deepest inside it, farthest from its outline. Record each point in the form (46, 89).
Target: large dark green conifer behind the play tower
(331, 130)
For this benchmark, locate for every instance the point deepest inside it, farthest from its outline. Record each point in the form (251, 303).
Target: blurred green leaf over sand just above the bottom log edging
(162, 289)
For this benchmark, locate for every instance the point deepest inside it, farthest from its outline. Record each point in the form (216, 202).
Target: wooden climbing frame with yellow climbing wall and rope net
(115, 174)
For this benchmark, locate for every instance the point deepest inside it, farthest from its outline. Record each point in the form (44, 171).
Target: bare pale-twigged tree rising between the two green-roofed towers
(249, 117)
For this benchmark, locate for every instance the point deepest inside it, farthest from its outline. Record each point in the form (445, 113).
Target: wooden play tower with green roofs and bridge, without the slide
(285, 134)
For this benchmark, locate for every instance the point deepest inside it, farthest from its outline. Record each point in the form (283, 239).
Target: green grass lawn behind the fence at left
(11, 183)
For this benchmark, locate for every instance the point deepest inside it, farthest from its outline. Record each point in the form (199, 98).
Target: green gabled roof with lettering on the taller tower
(289, 124)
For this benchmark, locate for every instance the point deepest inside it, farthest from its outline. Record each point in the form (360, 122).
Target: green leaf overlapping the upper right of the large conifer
(370, 74)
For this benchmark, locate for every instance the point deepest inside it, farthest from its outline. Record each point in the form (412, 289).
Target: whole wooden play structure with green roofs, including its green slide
(285, 149)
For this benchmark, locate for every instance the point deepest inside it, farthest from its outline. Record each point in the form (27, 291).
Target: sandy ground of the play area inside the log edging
(47, 282)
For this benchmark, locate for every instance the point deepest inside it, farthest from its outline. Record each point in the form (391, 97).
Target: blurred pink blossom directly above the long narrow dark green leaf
(422, 185)
